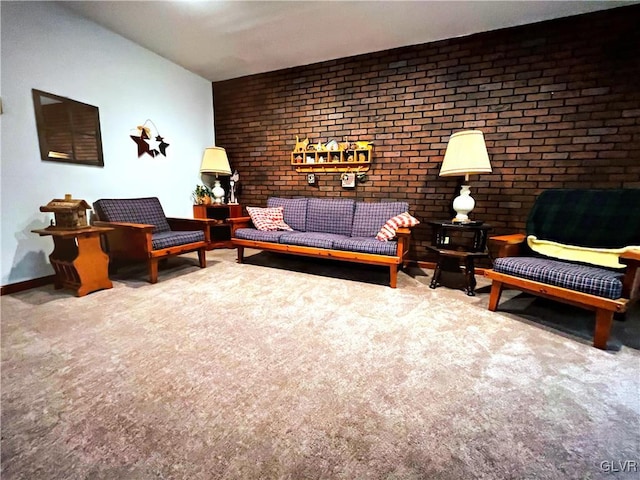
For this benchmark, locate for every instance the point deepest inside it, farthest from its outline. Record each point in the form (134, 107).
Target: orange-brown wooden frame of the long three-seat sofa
(393, 262)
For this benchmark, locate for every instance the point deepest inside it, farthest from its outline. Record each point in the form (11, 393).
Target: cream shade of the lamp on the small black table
(466, 154)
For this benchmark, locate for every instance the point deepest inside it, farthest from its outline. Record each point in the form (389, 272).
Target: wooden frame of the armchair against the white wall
(132, 241)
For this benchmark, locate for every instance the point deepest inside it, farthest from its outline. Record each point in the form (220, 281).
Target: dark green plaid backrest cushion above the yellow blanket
(595, 218)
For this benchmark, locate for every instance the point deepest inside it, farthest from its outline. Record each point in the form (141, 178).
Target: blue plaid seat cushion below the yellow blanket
(582, 278)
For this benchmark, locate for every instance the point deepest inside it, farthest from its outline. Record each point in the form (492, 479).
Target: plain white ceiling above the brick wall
(220, 40)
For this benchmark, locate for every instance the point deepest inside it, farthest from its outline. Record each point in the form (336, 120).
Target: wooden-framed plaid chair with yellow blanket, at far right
(581, 247)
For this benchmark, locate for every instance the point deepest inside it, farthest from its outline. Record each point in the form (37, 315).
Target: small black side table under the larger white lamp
(457, 244)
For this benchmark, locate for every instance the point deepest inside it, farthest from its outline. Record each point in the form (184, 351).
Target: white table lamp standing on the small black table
(466, 154)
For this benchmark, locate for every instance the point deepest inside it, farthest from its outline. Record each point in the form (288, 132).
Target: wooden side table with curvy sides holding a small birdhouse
(78, 259)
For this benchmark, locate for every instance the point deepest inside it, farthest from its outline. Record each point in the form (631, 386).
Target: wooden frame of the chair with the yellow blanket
(510, 245)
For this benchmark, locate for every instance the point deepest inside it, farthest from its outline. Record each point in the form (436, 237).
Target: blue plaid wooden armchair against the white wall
(142, 232)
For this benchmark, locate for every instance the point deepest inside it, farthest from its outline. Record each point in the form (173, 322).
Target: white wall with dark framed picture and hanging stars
(46, 47)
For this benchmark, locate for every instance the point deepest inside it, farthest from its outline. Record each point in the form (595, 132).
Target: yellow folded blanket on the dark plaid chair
(604, 257)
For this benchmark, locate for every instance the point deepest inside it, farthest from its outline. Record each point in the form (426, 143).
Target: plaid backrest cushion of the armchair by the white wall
(133, 210)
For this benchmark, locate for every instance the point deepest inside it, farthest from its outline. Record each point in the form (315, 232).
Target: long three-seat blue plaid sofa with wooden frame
(338, 229)
